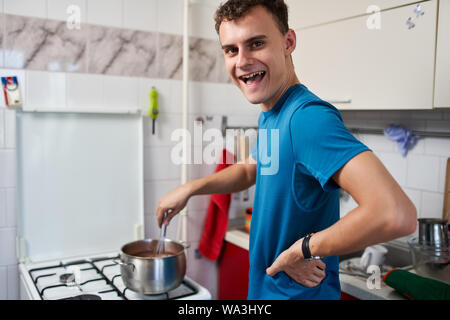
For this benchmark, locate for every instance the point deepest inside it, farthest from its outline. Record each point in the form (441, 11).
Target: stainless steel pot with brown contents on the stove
(146, 274)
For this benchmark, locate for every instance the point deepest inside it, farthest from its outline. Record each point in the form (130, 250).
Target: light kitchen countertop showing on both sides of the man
(353, 285)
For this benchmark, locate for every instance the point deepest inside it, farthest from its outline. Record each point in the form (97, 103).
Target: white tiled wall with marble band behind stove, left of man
(124, 48)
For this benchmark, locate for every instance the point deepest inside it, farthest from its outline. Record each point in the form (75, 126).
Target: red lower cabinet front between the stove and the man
(233, 272)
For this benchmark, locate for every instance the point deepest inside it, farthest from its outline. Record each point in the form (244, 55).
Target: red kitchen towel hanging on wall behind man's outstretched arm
(216, 222)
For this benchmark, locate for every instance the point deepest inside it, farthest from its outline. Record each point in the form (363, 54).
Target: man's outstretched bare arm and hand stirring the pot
(235, 178)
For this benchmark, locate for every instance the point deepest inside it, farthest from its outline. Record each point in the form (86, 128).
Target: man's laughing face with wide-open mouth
(257, 56)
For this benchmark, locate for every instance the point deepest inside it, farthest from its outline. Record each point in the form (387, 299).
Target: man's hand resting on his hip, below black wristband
(307, 273)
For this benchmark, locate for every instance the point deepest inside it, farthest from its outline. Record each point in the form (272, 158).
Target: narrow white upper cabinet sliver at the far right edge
(442, 94)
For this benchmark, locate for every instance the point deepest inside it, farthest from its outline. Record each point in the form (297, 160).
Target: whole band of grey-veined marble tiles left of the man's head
(50, 45)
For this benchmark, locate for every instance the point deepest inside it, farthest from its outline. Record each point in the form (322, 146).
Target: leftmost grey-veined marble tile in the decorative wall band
(41, 44)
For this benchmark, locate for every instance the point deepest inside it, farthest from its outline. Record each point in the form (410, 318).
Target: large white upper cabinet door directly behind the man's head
(356, 67)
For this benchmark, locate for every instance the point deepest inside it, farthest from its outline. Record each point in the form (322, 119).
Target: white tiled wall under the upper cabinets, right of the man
(421, 173)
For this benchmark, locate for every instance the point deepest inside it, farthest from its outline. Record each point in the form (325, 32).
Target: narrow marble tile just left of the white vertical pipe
(170, 56)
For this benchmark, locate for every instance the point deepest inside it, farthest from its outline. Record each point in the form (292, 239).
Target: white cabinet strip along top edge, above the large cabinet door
(306, 13)
